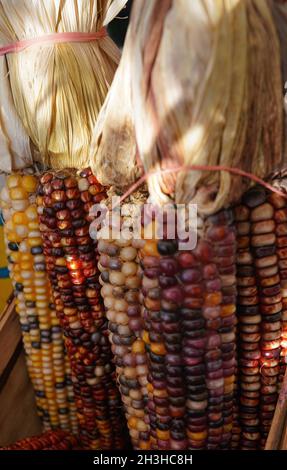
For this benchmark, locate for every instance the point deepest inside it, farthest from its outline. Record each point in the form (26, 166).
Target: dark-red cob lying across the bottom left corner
(50, 440)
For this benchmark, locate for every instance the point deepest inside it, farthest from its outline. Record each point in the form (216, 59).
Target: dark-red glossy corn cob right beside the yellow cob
(63, 203)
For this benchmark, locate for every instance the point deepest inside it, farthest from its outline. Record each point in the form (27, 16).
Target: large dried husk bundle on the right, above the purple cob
(200, 91)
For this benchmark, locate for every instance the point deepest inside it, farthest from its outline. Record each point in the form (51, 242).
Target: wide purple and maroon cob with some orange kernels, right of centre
(189, 335)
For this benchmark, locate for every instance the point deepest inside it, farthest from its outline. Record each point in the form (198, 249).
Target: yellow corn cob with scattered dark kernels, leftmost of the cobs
(42, 336)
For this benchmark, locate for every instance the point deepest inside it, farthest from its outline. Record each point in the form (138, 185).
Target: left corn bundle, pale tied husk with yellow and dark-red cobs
(49, 101)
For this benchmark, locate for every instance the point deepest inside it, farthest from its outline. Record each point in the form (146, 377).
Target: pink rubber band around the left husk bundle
(55, 38)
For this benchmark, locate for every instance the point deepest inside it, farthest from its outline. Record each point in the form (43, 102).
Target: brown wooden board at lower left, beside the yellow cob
(18, 417)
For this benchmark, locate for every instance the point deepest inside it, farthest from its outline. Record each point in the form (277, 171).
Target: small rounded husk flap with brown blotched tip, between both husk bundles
(114, 135)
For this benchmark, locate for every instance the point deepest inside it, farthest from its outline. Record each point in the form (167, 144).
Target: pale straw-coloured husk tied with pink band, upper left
(57, 90)
